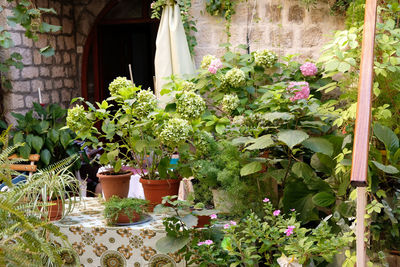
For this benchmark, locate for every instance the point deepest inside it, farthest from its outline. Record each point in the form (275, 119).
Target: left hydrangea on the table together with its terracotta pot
(108, 125)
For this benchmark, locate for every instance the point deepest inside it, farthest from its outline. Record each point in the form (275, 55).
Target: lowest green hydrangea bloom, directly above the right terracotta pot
(175, 132)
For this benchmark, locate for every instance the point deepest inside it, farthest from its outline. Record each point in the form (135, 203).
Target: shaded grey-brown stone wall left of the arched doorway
(56, 75)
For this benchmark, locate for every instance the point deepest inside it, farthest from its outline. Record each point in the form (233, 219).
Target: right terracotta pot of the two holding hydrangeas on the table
(155, 190)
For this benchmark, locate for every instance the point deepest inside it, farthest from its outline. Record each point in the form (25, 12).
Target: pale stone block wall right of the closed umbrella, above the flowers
(283, 26)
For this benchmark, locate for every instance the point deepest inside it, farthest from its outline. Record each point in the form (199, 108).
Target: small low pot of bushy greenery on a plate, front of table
(124, 211)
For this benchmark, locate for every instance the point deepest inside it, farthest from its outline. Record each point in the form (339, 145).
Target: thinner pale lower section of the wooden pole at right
(360, 226)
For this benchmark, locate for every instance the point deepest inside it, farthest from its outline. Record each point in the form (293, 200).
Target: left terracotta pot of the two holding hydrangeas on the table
(115, 184)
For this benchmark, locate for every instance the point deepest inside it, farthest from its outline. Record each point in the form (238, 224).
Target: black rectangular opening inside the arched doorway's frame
(121, 45)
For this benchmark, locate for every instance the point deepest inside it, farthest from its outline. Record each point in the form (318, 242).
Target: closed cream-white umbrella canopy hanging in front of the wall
(172, 50)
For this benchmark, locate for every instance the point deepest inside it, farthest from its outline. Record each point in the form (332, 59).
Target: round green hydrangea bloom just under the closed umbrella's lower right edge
(190, 105)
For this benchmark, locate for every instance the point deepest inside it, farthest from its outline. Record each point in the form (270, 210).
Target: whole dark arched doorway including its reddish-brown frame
(122, 34)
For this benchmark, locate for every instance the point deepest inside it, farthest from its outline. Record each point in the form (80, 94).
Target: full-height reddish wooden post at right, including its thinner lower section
(362, 127)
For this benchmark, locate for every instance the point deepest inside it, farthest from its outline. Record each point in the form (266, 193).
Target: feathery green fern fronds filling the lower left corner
(25, 237)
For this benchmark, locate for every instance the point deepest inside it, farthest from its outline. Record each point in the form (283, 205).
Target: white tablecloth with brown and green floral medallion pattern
(99, 245)
